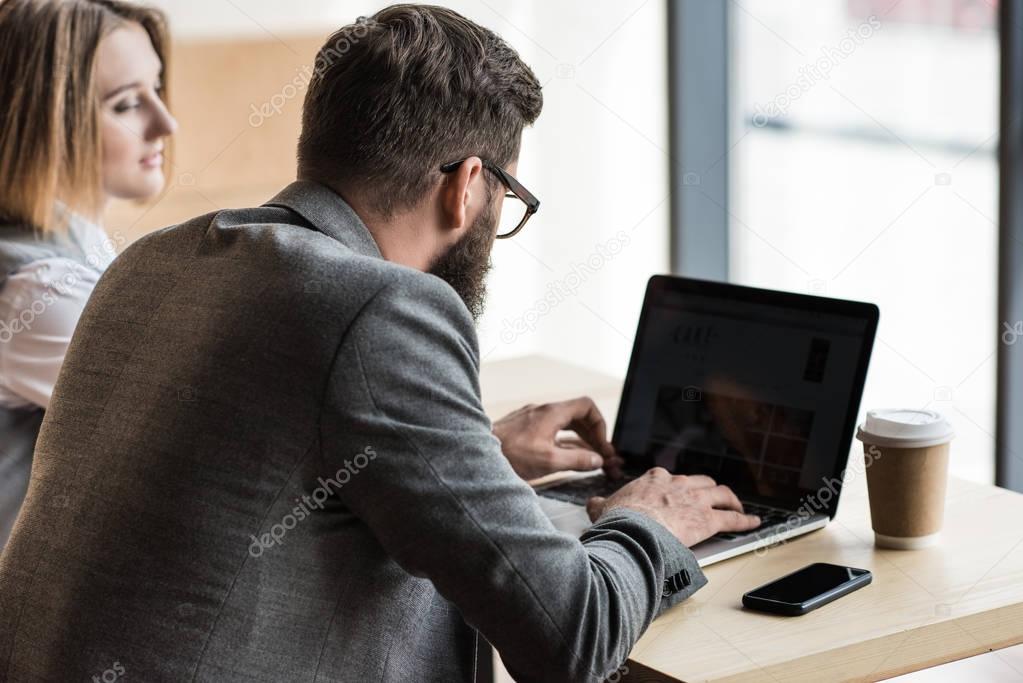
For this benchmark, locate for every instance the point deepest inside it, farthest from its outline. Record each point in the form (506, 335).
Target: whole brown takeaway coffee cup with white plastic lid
(906, 454)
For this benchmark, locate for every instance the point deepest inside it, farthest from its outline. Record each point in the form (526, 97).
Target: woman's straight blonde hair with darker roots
(51, 148)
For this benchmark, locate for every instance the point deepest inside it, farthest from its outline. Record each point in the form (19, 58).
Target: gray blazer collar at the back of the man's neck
(328, 213)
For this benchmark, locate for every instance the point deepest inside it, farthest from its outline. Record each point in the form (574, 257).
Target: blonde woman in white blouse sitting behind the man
(83, 119)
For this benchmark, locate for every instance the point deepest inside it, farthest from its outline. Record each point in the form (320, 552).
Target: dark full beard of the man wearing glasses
(466, 264)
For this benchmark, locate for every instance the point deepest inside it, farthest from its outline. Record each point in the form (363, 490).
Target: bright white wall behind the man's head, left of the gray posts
(570, 285)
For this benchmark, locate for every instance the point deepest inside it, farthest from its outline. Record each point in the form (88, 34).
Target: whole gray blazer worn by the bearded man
(266, 460)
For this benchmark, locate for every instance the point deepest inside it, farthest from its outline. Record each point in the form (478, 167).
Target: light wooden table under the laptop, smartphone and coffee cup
(925, 608)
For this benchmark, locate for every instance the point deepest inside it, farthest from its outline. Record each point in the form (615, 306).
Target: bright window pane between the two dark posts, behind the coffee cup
(864, 167)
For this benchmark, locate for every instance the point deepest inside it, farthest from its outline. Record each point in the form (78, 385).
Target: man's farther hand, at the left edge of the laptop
(529, 439)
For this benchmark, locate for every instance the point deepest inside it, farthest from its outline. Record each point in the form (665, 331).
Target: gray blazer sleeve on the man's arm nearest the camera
(444, 503)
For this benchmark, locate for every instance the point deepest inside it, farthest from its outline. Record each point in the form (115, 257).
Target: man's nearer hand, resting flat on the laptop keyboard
(692, 508)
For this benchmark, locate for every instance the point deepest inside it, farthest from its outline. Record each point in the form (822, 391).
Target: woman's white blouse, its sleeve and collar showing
(40, 305)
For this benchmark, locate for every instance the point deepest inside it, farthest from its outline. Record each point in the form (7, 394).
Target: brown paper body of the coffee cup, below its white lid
(907, 490)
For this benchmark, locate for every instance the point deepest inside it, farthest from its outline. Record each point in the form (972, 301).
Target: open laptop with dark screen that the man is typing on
(758, 389)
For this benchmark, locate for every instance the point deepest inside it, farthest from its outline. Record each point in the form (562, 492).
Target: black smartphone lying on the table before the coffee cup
(808, 589)
